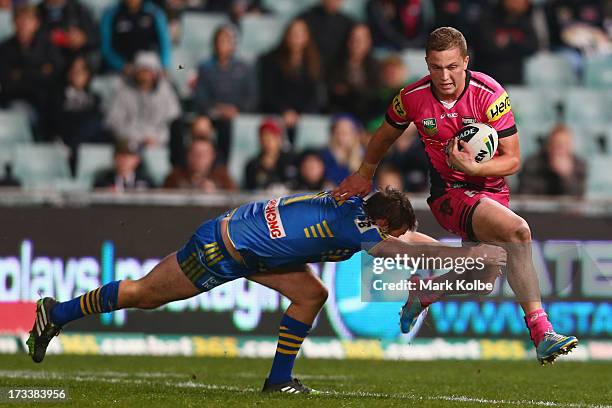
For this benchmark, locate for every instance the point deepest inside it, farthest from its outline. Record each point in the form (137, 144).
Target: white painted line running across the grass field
(86, 376)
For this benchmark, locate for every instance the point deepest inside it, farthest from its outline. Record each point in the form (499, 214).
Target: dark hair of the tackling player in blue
(393, 206)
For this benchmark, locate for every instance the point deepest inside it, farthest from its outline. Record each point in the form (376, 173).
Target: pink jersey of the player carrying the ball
(483, 100)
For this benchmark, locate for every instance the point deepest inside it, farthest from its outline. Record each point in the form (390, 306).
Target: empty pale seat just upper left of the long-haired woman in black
(259, 34)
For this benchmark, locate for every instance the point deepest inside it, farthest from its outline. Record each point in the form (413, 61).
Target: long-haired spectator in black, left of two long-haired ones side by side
(291, 77)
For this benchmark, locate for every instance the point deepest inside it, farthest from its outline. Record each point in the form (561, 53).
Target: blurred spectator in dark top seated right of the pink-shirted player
(555, 170)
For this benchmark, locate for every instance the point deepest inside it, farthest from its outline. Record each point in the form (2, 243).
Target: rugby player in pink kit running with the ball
(467, 198)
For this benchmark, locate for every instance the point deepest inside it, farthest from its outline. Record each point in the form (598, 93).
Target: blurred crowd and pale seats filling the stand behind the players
(284, 94)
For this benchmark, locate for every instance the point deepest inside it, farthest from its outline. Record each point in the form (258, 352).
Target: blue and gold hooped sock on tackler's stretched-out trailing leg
(100, 300)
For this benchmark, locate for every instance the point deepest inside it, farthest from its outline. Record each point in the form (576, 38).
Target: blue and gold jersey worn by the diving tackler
(302, 228)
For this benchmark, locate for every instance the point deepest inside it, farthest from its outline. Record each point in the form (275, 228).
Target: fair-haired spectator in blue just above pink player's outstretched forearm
(343, 156)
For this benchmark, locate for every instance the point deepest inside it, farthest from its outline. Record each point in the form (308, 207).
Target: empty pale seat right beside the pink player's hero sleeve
(531, 107)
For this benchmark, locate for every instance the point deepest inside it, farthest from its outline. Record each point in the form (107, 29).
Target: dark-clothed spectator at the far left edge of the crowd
(29, 68)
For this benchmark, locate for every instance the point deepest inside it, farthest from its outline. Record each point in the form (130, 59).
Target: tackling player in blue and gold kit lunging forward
(269, 242)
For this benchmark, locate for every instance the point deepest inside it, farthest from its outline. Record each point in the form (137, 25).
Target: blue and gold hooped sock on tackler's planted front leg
(292, 334)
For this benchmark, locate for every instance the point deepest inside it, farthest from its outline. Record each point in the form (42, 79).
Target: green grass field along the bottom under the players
(177, 382)
